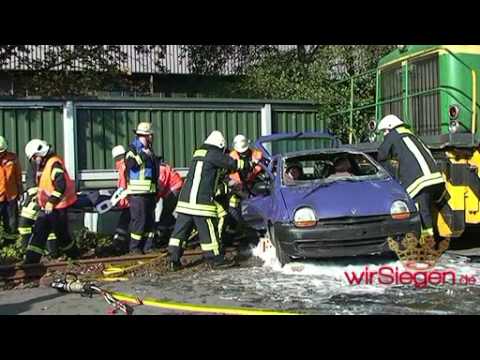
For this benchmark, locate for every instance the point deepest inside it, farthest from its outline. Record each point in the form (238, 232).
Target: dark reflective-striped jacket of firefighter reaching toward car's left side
(197, 196)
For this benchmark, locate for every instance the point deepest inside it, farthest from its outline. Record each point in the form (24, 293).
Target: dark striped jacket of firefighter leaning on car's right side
(417, 167)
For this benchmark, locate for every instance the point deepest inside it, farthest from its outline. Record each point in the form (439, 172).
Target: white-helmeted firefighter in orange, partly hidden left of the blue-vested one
(121, 236)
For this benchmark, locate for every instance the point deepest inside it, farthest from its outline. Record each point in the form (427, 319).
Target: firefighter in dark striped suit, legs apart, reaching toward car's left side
(197, 207)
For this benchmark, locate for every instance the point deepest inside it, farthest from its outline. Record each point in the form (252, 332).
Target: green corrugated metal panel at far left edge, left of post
(20, 125)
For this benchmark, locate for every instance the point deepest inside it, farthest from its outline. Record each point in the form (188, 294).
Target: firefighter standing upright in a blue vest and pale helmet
(142, 175)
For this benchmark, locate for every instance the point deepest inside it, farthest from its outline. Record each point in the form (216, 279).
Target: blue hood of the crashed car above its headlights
(346, 199)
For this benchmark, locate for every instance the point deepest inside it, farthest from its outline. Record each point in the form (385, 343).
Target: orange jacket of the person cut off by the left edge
(10, 177)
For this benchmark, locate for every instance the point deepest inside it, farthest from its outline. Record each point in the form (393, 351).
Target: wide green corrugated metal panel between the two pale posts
(177, 131)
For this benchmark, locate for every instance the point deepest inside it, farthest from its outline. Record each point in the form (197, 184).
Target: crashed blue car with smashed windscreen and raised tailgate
(322, 199)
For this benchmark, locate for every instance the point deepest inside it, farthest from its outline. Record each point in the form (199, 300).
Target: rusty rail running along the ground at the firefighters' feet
(17, 273)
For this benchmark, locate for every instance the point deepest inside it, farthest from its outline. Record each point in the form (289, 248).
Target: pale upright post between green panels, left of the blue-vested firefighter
(70, 138)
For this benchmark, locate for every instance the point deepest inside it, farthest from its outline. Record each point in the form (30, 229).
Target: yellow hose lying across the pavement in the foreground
(208, 309)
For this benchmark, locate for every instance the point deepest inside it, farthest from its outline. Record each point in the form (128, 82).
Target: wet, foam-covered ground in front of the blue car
(311, 287)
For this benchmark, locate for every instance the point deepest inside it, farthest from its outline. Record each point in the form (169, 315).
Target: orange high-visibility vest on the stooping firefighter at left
(46, 186)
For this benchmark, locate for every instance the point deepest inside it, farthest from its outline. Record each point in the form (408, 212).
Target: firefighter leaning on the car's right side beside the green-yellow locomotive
(418, 172)
